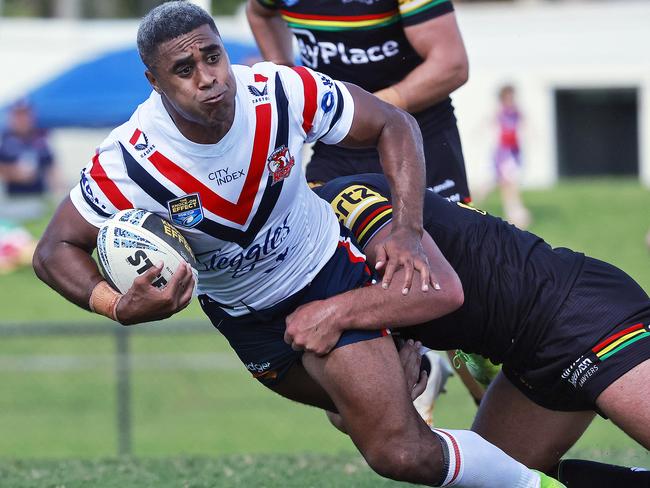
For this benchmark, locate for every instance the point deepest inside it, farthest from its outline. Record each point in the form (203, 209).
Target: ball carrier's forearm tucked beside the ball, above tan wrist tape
(67, 269)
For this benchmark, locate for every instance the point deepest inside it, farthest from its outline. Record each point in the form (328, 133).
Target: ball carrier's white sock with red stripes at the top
(472, 462)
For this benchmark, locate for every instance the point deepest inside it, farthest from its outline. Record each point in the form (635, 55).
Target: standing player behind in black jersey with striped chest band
(408, 53)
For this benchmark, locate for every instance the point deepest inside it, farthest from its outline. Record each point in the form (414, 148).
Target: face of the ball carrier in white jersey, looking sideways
(193, 75)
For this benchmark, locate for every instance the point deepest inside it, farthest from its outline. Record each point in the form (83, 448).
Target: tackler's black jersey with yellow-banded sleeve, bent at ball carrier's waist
(513, 281)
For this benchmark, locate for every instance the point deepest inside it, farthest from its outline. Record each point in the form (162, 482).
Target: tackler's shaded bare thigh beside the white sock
(532, 434)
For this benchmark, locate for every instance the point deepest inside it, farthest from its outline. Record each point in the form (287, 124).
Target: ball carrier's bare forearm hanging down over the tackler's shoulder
(402, 159)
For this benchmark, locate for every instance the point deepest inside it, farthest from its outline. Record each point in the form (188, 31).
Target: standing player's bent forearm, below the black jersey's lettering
(429, 83)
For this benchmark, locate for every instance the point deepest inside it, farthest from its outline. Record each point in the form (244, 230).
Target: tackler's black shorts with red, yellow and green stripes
(601, 331)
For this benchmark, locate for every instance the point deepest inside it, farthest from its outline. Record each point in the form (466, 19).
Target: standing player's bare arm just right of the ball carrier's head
(272, 35)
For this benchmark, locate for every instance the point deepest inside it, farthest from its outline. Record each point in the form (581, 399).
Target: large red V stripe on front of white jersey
(235, 212)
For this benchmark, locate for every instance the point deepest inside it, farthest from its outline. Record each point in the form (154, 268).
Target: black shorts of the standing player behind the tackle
(443, 154)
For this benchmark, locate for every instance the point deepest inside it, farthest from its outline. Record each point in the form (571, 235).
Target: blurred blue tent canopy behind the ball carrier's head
(105, 91)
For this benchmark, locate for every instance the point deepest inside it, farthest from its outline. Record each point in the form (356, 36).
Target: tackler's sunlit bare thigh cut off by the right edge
(626, 403)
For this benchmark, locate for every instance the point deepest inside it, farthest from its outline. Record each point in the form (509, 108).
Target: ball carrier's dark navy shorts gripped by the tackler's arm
(258, 337)
